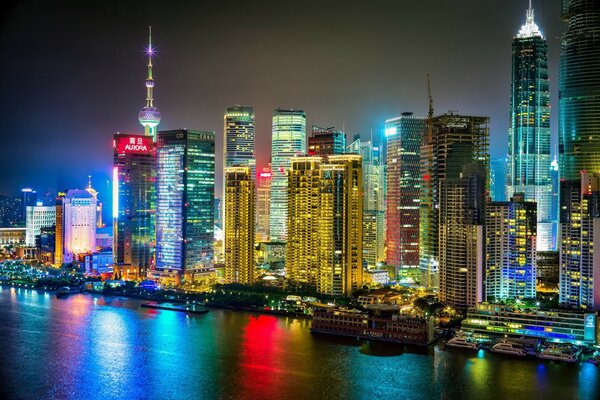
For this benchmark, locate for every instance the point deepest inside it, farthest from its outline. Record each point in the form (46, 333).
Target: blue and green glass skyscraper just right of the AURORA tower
(185, 202)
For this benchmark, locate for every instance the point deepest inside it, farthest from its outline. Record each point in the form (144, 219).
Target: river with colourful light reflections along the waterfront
(95, 347)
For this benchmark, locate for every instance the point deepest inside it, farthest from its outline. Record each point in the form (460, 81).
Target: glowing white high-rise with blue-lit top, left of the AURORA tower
(79, 222)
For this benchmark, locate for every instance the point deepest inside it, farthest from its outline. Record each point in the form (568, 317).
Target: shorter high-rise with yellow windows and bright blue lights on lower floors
(511, 249)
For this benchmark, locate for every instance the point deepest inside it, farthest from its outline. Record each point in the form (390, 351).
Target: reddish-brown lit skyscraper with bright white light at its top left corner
(404, 135)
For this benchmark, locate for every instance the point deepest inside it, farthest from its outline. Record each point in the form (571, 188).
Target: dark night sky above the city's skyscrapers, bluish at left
(72, 72)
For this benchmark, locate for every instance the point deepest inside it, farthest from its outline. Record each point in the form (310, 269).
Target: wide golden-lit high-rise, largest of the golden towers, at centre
(325, 223)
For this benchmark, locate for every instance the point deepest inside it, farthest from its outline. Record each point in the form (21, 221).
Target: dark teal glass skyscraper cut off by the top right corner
(579, 90)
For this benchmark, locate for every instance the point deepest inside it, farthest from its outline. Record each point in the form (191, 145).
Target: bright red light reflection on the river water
(261, 359)
